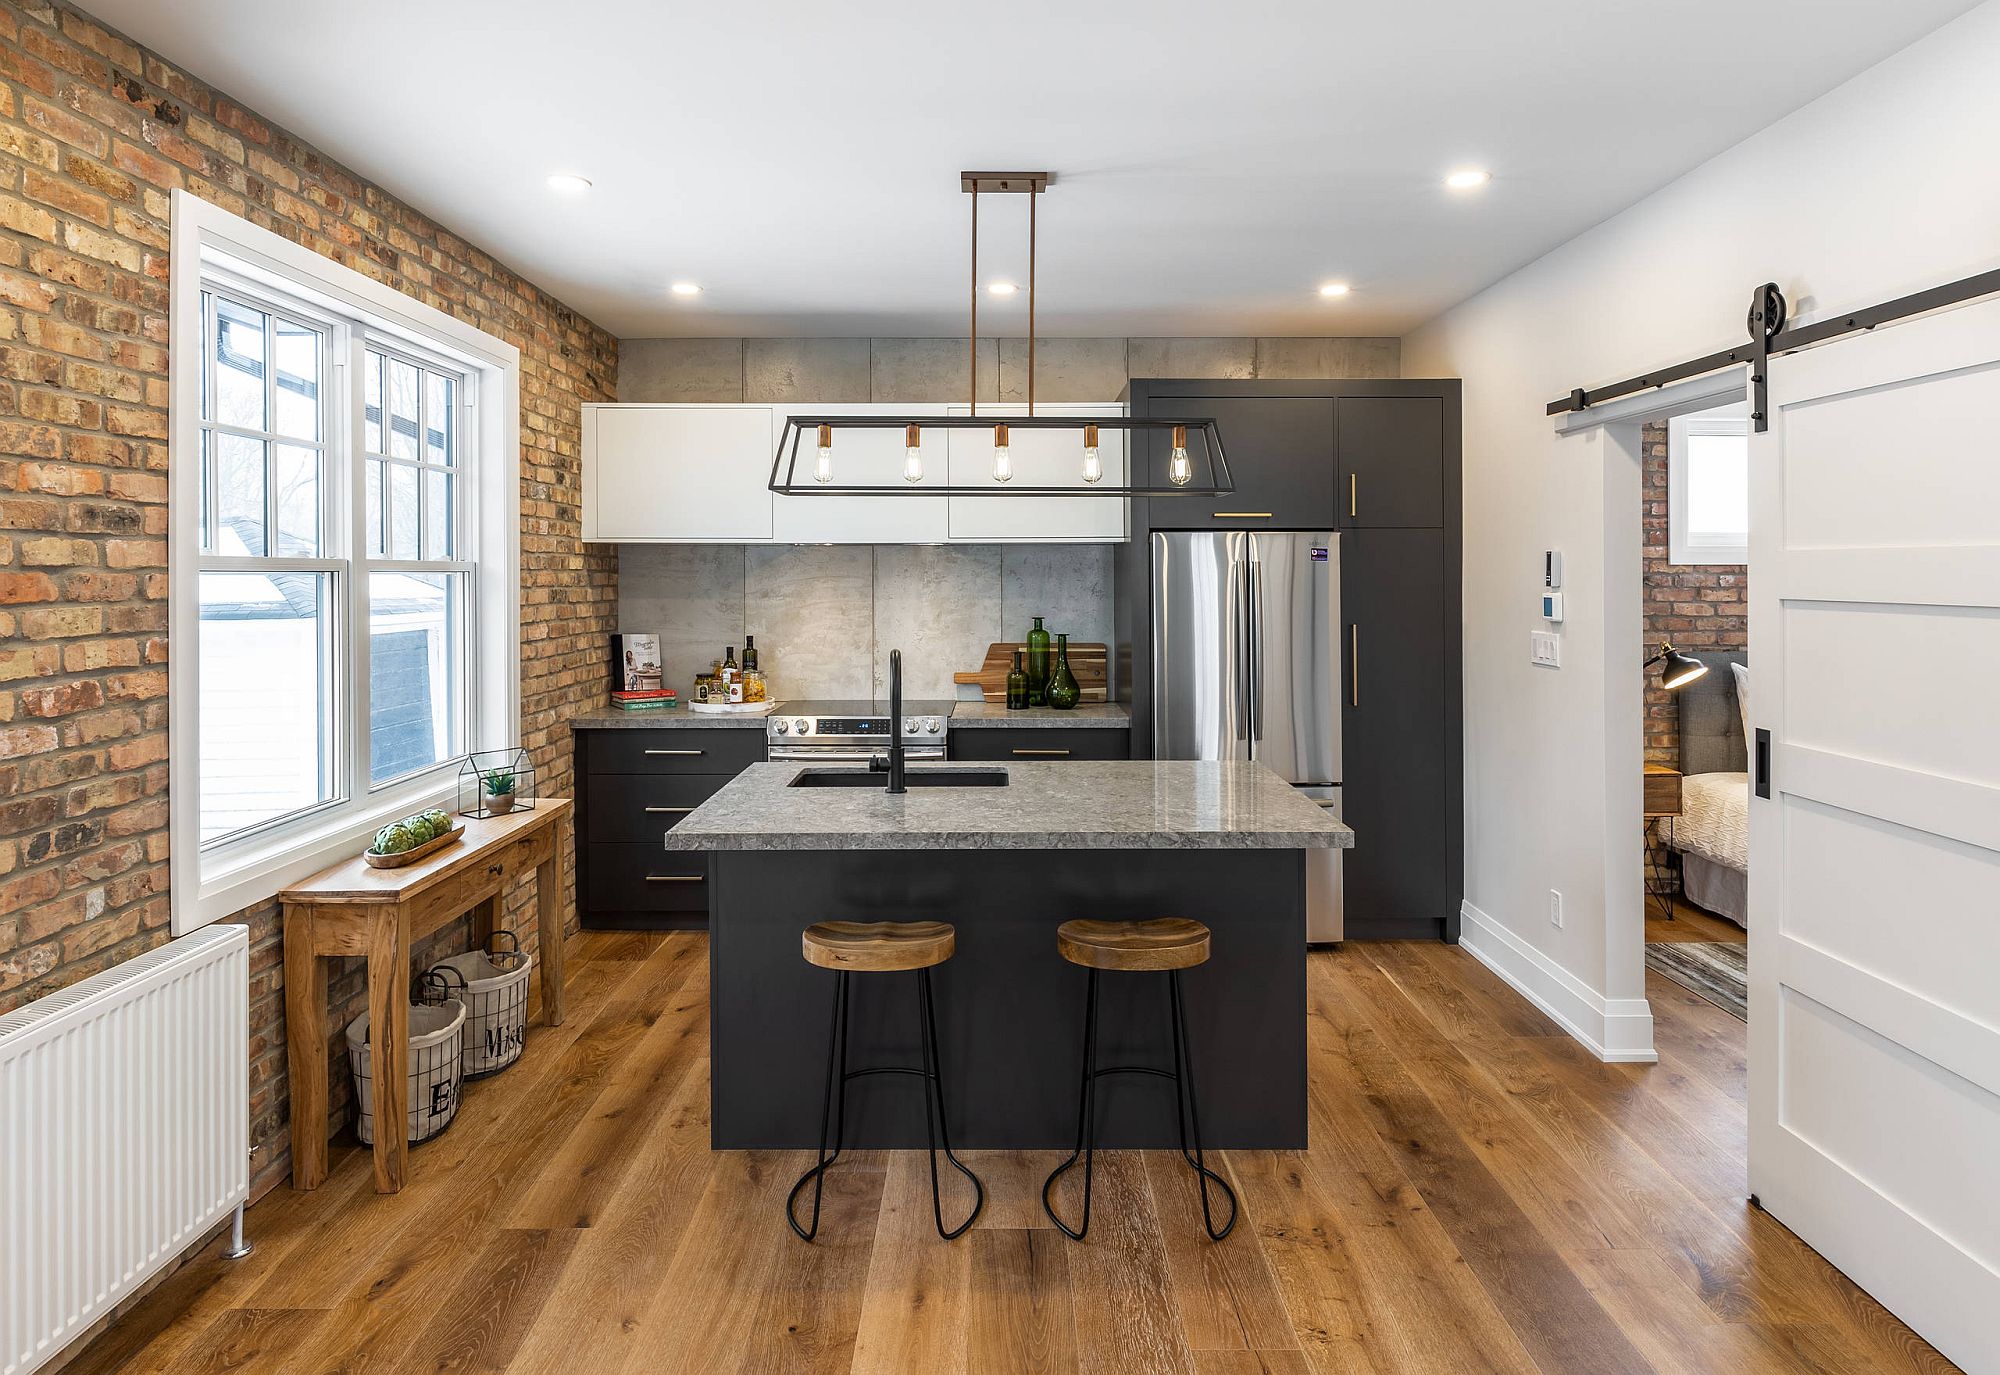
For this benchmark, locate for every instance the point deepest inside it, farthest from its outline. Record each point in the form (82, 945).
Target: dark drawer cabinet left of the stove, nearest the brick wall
(633, 788)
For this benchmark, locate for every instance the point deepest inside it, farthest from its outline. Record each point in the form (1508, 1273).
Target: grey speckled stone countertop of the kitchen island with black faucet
(1127, 804)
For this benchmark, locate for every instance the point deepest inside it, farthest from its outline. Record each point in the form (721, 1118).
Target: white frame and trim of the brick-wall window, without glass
(211, 245)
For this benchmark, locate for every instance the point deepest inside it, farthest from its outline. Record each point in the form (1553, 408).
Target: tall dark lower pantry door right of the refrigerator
(1399, 756)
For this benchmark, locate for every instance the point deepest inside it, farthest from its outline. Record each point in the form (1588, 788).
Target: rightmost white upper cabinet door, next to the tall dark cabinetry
(1043, 459)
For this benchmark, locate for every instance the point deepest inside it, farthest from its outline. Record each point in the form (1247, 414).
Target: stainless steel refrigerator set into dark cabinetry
(1247, 667)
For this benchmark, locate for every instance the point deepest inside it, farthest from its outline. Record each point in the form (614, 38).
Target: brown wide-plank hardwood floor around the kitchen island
(1481, 1196)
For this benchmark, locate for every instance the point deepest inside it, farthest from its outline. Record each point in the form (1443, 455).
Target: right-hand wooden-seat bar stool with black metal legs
(1165, 944)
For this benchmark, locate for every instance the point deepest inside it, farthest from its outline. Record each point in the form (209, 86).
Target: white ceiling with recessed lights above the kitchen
(1215, 161)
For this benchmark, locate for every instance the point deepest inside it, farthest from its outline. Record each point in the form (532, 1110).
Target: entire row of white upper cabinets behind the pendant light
(701, 475)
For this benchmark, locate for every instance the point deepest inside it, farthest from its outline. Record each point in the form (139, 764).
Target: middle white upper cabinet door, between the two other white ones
(875, 457)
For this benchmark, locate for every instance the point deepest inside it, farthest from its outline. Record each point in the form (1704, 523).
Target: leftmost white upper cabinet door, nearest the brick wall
(679, 473)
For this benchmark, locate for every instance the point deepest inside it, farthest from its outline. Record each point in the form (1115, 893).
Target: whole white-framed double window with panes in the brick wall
(345, 573)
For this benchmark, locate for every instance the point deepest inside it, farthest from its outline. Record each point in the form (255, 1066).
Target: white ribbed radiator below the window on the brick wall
(125, 1118)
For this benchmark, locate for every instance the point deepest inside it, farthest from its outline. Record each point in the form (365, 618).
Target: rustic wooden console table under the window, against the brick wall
(355, 910)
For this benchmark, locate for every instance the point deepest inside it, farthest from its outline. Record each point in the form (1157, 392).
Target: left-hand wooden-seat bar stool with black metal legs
(853, 948)
